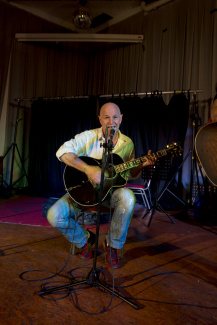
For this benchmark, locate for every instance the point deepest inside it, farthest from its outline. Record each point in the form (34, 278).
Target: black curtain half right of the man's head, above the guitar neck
(150, 123)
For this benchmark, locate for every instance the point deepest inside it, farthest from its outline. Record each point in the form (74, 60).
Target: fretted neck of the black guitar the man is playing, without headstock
(136, 162)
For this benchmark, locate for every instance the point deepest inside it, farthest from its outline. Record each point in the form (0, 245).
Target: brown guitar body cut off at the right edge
(206, 149)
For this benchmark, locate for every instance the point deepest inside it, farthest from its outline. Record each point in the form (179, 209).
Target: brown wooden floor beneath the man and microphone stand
(168, 270)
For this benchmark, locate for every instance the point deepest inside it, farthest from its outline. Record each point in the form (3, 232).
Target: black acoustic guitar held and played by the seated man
(82, 191)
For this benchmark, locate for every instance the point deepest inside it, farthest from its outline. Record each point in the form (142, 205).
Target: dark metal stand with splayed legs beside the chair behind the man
(156, 204)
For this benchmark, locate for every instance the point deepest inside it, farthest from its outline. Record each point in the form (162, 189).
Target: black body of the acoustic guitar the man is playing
(82, 191)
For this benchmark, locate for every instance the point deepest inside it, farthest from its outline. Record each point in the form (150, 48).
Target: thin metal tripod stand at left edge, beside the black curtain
(14, 147)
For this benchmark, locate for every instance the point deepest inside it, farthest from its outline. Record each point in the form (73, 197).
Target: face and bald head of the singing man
(110, 116)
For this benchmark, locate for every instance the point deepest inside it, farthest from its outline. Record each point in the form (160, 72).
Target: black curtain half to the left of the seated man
(52, 123)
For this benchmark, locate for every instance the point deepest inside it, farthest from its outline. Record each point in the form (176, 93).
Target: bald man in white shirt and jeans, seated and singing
(122, 200)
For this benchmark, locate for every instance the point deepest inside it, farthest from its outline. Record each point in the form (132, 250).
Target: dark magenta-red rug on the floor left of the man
(23, 210)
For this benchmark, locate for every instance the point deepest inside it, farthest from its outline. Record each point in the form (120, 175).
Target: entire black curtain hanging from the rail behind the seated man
(148, 121)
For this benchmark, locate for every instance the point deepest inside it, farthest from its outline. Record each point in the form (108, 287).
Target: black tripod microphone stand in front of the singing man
(93, 277)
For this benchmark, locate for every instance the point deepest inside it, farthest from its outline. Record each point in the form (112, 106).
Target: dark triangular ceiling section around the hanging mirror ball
(104, 13)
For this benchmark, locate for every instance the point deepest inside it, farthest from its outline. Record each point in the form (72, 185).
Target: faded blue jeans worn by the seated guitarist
(60, 215)
